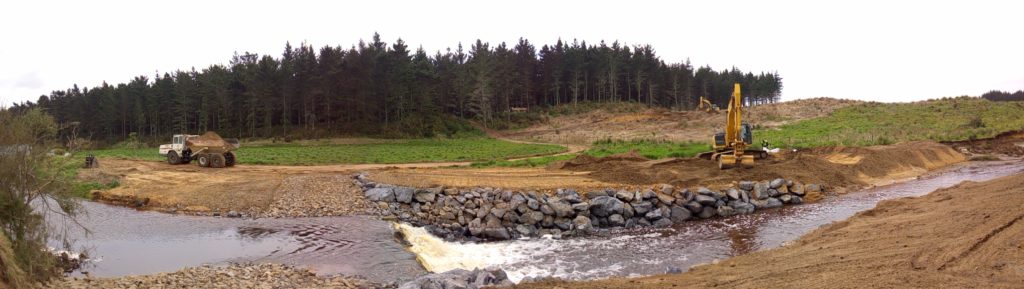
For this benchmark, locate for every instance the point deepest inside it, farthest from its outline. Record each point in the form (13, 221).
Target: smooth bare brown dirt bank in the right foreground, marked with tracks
(968, 236)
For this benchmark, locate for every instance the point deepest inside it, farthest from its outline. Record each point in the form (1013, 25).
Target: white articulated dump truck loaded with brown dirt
(208, 150)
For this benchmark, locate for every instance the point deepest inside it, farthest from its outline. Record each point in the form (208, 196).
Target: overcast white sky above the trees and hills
(877, 51)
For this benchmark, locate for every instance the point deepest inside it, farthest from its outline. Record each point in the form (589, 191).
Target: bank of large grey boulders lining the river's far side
(501, 215)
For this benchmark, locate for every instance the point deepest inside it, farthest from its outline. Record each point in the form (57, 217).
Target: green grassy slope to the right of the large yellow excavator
(873, 123)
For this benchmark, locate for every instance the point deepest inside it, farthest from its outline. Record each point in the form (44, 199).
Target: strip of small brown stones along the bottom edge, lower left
(235, 276)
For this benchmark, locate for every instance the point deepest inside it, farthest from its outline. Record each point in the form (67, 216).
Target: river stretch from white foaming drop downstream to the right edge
(656, 252)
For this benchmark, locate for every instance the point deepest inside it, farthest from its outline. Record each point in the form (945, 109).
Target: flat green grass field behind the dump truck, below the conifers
(393, 152)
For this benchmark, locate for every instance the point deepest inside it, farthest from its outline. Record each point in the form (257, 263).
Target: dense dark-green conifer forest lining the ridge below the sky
(376, 89)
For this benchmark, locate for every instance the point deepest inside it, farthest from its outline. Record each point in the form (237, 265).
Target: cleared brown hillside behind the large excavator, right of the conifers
(667, 126)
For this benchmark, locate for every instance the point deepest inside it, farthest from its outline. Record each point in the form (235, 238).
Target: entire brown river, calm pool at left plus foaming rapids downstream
(130, 242)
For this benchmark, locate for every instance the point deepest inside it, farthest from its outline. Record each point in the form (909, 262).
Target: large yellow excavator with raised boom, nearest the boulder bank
(735, 145)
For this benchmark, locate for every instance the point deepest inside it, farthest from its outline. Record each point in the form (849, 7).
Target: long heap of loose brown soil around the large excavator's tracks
(834, 167)
